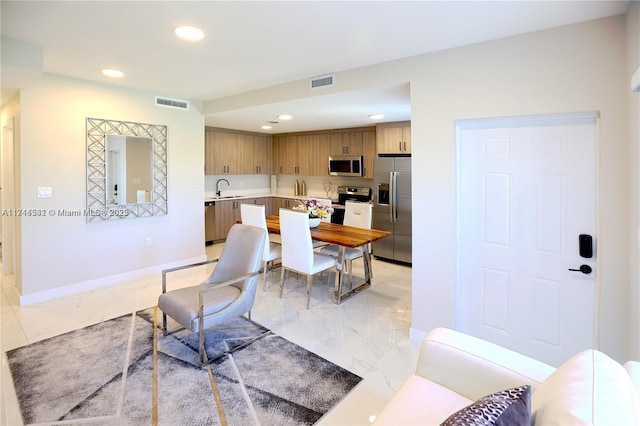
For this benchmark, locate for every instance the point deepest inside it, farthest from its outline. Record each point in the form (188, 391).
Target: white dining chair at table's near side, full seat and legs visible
(297, 250)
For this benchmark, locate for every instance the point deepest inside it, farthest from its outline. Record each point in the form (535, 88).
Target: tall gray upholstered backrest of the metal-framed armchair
(241, 255)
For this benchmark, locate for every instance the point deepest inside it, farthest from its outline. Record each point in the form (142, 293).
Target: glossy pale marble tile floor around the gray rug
(367, 334)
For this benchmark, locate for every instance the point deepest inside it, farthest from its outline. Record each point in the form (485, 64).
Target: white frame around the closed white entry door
(512, 121)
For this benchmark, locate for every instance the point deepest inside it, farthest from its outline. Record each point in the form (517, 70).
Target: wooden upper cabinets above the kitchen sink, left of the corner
(234, 152)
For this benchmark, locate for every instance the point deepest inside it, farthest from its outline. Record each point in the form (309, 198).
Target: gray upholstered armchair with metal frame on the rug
(229, 292)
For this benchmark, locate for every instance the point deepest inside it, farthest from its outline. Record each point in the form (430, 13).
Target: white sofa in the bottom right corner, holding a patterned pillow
(454, 370)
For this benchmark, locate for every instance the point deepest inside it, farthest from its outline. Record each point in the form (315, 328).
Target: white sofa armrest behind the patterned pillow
(473, 367)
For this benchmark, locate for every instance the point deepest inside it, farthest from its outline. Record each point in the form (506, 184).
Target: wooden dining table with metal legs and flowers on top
(343, 236)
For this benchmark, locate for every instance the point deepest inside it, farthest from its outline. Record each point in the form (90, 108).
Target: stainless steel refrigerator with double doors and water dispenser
(392, 207)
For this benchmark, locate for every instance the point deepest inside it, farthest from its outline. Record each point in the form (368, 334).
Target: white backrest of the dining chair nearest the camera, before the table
(297, 248)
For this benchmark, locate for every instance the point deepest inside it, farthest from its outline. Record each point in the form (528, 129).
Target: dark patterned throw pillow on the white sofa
(511, 407)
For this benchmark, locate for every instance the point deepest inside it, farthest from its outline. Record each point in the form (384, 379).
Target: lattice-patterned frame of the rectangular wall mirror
(97, 208)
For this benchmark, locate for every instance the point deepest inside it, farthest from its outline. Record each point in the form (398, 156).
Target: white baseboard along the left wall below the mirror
(54, 293)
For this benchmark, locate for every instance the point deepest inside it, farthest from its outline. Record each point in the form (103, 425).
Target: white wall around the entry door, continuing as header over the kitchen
(579, 67)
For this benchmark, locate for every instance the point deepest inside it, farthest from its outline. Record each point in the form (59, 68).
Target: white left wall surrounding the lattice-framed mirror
(58, 252)
